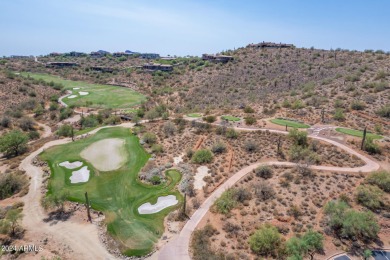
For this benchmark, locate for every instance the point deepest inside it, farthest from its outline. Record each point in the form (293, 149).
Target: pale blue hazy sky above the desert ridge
(180, 27)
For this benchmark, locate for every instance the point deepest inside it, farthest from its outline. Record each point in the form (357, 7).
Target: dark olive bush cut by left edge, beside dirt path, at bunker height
(10, 184)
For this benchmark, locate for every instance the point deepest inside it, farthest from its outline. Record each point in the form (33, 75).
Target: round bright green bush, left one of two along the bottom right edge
(266, 240)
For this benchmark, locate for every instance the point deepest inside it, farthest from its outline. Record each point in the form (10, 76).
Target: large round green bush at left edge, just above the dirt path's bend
(13, 143)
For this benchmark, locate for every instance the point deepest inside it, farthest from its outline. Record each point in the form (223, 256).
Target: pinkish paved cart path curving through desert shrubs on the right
(178, 248)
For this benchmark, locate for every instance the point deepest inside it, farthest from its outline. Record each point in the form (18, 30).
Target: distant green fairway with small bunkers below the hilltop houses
(99, 96)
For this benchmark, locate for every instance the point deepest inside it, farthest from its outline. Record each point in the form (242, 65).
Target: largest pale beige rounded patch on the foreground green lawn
(106, 155)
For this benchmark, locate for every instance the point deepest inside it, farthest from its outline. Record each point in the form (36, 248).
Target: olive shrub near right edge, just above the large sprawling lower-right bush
(370, 196)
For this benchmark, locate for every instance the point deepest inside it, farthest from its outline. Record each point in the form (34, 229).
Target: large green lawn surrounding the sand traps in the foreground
(118, 193)
